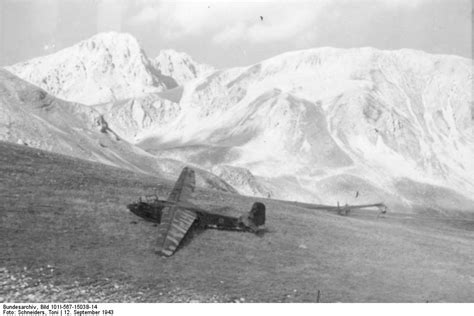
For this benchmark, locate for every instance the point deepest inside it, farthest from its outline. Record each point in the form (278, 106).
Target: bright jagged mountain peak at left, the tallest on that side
(106, 67)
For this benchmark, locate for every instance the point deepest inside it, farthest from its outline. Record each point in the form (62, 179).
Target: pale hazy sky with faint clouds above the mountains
(231, 33)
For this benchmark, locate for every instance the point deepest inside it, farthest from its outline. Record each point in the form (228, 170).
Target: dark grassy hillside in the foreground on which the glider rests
(67, 236)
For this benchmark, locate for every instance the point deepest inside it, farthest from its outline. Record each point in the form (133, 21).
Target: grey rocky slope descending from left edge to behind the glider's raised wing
(30, 116)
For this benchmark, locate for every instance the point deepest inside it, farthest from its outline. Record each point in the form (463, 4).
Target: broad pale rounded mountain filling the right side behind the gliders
(326, 115)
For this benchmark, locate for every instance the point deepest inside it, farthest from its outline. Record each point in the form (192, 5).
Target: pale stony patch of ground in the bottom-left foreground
(41, 285)
